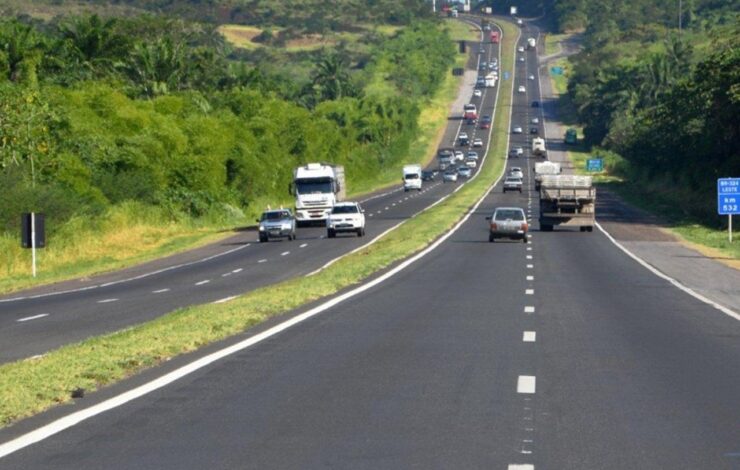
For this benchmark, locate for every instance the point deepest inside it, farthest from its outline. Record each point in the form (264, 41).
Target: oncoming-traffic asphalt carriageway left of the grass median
(34, 324)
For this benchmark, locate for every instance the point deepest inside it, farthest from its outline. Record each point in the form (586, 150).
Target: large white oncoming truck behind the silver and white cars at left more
(317, 187)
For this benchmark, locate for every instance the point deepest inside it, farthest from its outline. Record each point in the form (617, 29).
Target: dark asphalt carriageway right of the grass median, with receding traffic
(562, 353)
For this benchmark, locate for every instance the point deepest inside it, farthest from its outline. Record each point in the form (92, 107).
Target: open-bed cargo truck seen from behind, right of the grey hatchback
(567, 200)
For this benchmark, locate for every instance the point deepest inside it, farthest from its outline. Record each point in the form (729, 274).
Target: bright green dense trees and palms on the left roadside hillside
(98, 112)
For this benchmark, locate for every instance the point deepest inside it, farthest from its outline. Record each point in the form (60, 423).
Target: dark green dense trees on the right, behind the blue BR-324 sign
(667, 100)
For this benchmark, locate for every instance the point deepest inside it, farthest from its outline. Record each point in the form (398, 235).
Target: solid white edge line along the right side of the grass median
(77, 417)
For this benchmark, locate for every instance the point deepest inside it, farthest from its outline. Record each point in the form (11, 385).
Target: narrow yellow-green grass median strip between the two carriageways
(30, 386)
